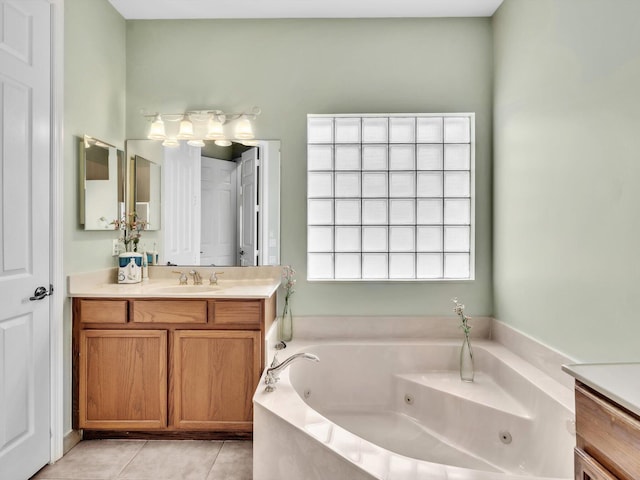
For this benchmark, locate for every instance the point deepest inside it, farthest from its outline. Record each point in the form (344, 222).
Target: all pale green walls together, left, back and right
(554, 84)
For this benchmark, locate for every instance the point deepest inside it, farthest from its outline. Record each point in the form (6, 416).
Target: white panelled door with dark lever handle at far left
(25, 86)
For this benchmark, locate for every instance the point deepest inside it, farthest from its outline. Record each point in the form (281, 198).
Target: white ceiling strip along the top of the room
(174, 9)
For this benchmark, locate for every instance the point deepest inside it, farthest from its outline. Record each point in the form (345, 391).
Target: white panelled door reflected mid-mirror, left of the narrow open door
(219, 212)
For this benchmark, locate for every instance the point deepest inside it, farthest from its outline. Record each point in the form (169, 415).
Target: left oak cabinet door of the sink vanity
(123, 379)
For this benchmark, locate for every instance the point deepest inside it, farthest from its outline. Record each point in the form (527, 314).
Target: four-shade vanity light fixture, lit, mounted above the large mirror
(195, 126)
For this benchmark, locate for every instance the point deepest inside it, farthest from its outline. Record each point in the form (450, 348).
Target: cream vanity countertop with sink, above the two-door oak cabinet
(235, 282)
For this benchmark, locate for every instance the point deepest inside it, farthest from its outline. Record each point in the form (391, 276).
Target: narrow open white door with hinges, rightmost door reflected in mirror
(249, 208)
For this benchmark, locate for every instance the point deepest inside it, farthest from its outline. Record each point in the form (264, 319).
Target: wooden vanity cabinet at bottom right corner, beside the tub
(607, 438)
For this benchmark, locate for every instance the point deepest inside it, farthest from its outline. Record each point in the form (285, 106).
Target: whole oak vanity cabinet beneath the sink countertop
(179, 367)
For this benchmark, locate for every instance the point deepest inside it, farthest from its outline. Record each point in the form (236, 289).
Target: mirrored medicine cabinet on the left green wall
(102, 184)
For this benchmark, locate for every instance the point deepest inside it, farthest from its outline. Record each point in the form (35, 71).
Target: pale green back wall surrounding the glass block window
(294, 67)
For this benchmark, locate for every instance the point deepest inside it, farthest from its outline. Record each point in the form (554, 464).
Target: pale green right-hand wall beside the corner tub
(566, 171)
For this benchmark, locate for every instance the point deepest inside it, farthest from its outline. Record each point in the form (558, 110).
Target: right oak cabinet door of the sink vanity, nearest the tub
(213, 376)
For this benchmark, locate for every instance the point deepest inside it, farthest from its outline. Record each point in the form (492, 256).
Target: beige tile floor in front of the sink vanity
(153, 460)
